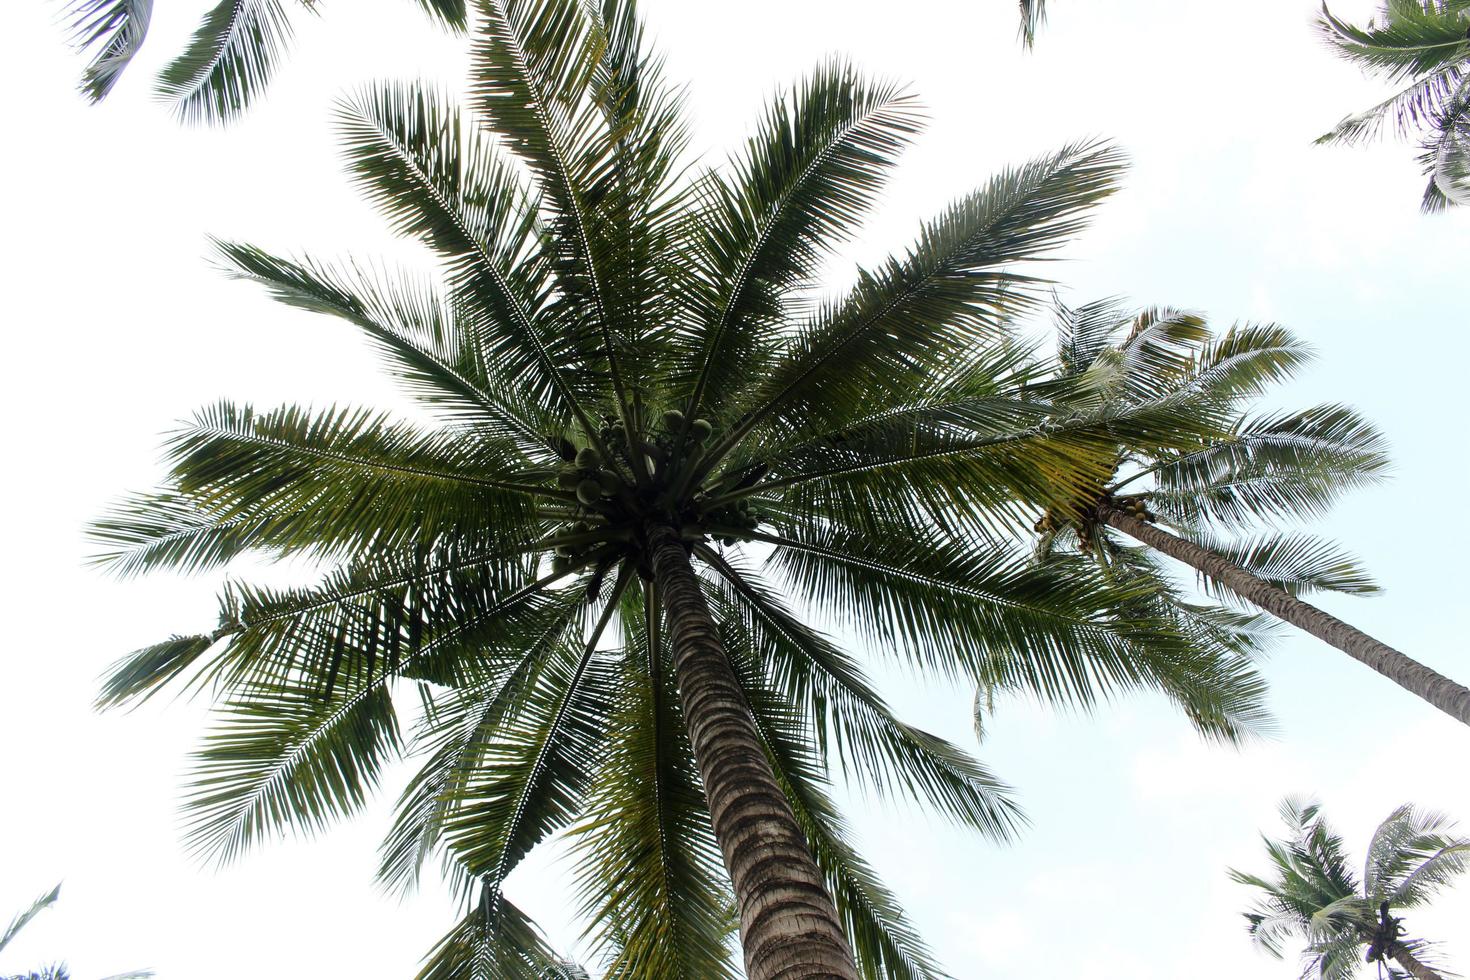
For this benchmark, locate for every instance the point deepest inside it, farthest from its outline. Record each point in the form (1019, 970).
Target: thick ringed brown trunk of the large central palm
(789, 925)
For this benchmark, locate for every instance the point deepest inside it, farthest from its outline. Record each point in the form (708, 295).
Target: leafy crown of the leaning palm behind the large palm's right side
(1246, 471)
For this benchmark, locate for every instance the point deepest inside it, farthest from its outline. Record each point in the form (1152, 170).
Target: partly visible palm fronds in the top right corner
(1425, 46)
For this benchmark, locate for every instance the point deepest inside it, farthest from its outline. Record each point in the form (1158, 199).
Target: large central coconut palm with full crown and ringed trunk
(640, 397)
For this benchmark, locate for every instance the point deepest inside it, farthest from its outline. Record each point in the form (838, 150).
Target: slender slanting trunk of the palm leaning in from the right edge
(1413, 677)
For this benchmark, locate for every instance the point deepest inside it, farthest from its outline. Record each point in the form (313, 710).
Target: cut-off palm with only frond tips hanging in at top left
(227, 64)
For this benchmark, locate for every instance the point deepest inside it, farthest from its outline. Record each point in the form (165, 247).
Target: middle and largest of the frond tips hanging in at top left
(229, 61)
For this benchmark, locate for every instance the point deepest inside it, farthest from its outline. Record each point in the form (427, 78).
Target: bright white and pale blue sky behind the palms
(118, 327)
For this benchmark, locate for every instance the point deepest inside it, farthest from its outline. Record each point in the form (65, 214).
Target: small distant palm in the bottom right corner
(1313, 893)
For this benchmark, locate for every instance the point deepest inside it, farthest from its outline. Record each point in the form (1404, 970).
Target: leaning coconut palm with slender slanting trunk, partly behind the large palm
(1244, 471)
